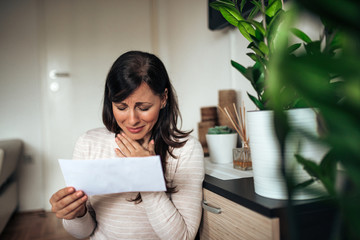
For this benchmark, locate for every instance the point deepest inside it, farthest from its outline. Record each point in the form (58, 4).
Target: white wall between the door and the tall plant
(197, 58)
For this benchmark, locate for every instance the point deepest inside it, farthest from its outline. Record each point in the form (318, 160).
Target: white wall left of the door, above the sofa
(20, 93)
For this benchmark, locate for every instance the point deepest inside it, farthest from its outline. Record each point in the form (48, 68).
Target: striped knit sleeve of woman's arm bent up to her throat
(179, 218)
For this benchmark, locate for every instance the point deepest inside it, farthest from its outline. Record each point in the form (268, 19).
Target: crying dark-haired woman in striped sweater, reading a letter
(140, 113)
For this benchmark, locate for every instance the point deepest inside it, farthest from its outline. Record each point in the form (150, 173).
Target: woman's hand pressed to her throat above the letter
(131, 148)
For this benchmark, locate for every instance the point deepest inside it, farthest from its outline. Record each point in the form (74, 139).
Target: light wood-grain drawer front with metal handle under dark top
(228, 220)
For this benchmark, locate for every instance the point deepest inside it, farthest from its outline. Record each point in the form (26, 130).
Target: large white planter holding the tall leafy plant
(265, 153)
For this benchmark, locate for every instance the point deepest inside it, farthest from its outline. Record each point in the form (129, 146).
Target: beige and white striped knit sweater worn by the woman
(159, 215)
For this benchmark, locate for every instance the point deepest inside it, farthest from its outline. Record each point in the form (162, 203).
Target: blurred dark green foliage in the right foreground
(338, 104)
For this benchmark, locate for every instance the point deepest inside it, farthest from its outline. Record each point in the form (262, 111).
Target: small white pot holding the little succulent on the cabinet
(221, 147)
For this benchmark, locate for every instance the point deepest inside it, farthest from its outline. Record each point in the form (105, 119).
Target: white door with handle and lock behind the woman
(83, 38)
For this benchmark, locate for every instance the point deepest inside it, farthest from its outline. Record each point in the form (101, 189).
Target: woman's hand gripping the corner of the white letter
(68, 203)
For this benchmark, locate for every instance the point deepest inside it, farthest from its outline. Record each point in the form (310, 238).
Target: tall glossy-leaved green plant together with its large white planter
(265, 38)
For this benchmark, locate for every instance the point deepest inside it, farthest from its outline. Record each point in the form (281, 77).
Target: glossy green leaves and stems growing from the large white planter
(260, 34)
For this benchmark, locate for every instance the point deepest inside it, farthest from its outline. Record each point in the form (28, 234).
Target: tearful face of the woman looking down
(139, 112)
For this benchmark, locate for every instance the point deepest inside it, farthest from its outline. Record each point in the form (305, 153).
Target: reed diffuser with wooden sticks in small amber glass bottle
(241, 156)
